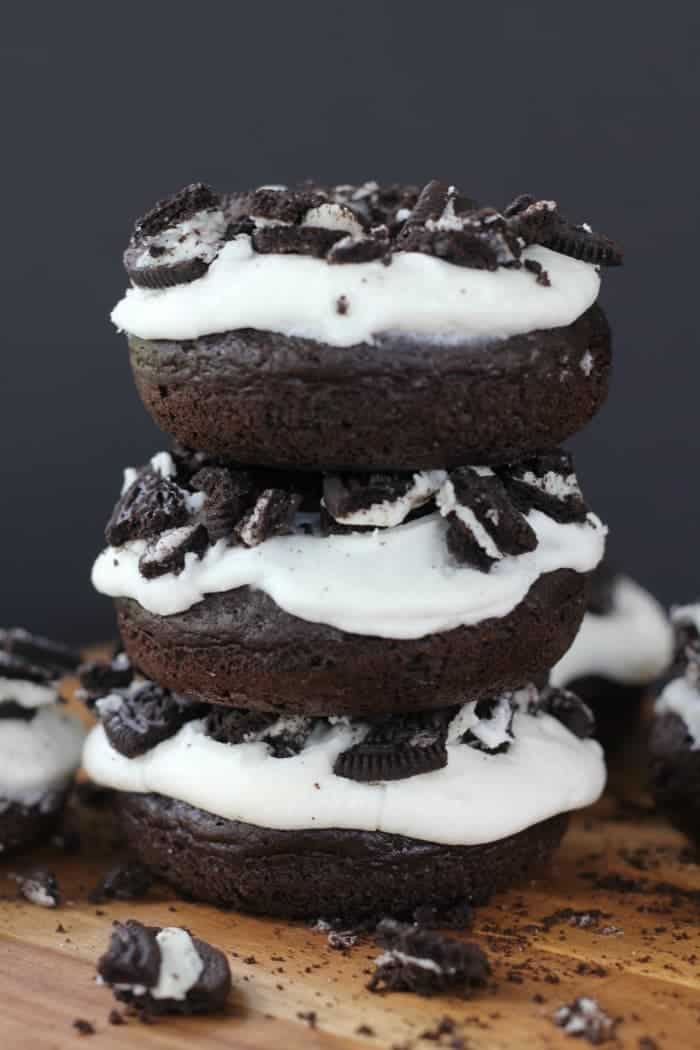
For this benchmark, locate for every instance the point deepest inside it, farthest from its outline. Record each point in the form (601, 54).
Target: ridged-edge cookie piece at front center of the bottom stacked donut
(396, 748)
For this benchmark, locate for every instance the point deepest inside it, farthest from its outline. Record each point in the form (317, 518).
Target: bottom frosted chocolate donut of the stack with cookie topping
(341, 817)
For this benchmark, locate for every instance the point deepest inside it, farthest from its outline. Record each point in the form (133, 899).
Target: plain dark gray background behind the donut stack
(596, 106)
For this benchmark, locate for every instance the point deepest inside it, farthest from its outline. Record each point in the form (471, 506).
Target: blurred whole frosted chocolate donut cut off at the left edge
(40, 745)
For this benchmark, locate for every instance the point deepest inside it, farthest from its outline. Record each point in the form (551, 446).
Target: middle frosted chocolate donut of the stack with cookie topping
(282, 592)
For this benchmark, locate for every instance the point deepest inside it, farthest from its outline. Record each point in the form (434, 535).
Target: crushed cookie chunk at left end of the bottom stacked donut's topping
(137, 720)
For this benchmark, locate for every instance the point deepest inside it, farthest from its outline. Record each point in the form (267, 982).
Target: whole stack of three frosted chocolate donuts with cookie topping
(342, 592)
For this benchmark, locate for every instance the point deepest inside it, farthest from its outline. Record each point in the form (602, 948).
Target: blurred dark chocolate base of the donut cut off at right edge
(675, 774)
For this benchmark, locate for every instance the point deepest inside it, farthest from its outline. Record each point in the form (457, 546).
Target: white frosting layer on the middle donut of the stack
(398, 584)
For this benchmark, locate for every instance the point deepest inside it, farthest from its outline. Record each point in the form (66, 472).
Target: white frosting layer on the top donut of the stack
(416, 296)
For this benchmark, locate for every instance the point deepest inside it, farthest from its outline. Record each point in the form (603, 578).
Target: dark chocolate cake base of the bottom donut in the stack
(322, 873)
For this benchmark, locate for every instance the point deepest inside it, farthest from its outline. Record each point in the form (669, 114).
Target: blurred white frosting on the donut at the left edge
(40, 755)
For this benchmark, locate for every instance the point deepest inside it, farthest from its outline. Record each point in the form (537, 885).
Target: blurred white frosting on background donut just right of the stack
(631, 645)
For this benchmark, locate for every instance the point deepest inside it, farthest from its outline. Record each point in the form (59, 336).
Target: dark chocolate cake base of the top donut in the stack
(272, 401)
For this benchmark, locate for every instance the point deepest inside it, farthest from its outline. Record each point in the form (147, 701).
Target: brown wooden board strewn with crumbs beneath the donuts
(633, 944)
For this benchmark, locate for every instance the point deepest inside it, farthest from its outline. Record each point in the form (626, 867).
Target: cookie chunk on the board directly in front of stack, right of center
(427, 963)
